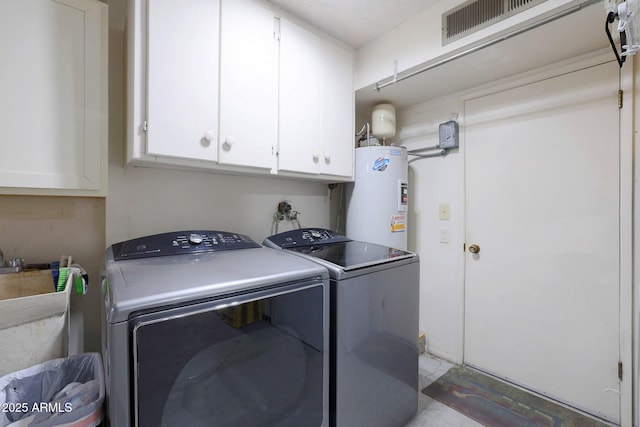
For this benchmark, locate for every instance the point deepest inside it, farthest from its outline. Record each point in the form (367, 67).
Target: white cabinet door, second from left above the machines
(248, 84)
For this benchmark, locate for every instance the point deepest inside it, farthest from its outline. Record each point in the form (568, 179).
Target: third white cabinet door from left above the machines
(299, 121)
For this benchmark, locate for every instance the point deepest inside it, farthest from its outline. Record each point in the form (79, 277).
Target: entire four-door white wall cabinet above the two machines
(221, 85)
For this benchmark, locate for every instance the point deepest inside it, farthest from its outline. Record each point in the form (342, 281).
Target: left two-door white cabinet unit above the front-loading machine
(202, 78)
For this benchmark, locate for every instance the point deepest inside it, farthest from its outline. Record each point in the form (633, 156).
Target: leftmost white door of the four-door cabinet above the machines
(182, 78)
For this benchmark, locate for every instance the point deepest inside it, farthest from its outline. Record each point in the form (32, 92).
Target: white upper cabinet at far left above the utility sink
(53, 108)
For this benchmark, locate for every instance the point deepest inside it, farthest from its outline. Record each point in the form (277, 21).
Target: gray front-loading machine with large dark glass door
(205, 328)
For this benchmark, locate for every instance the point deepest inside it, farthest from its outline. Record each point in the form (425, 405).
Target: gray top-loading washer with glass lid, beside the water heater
(374, 326)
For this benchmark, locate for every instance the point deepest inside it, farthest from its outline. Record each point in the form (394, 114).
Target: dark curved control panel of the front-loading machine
(181, 242)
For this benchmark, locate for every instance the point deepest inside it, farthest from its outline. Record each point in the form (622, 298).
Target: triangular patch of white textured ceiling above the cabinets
(354, 22)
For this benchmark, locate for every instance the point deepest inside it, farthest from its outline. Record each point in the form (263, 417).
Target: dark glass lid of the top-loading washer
(352, 255)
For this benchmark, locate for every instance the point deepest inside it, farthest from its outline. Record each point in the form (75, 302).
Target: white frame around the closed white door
(628, 339)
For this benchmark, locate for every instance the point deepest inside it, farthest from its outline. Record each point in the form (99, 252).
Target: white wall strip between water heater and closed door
(434, 181)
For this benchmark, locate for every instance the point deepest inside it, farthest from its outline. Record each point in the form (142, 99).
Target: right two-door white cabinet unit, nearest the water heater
(316, 129)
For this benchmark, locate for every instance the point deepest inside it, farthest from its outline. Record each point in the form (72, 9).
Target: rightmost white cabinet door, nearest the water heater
(338, 112)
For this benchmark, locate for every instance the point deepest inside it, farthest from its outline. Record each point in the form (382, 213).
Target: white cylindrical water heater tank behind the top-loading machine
(378, 200)
